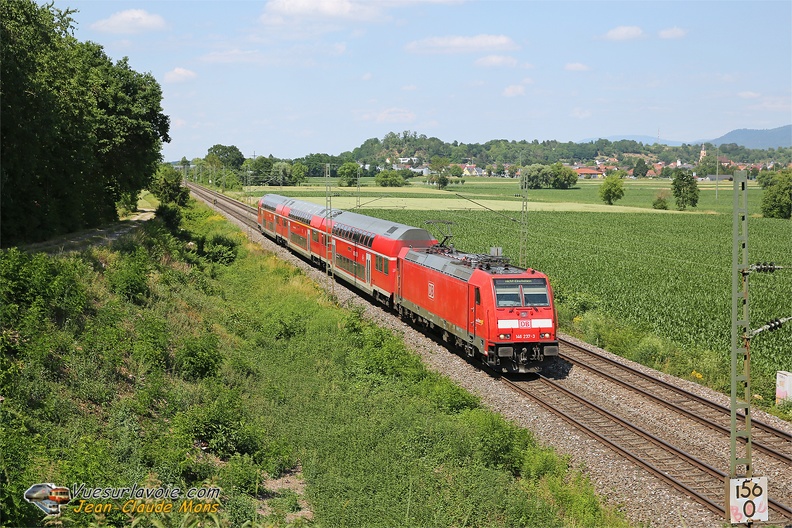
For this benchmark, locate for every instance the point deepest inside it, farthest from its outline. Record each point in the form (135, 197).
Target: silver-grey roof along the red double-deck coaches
(370, 224)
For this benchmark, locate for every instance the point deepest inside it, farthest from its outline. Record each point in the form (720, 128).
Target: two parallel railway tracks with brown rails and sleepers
(681, 470)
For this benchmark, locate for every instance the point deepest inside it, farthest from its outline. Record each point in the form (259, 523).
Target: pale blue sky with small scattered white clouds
(293, 77)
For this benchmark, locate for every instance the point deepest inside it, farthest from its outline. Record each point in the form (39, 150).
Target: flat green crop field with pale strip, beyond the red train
(663, 280)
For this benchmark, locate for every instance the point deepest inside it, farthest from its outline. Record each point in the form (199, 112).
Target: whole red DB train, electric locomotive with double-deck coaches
(480, 303)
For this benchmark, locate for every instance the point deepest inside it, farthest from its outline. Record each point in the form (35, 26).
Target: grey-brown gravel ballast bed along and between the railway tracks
(645, 499)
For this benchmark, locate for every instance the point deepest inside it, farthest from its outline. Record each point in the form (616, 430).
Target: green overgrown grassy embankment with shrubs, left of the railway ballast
(197, 359)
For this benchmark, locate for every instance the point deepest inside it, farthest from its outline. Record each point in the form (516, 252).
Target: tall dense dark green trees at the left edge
(79, 132)
